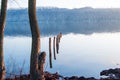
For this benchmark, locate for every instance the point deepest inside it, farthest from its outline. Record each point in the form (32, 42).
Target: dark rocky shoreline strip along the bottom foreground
(111, 74)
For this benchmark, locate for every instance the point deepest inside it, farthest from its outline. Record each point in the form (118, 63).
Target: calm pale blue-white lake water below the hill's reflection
(81, 55)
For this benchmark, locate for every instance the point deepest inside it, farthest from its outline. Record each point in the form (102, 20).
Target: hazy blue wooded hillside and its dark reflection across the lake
(54, 20)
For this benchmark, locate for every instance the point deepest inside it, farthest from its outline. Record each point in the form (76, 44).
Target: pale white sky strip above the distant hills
(67, 3)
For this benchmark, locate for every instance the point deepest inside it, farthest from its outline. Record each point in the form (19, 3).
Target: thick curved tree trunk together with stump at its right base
(36, 68)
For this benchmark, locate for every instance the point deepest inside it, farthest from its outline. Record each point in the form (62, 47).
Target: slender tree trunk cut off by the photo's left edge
(2, 26)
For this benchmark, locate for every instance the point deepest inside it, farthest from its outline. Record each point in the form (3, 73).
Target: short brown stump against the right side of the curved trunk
(41, 63)
